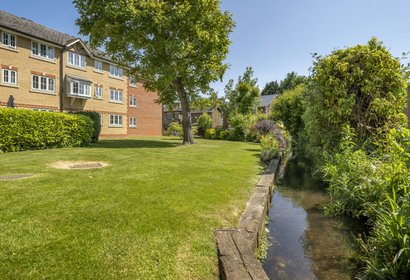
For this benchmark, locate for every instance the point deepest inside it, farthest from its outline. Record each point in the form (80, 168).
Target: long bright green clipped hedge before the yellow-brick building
(29, 130)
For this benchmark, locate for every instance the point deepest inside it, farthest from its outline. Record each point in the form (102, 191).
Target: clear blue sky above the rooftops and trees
(274, 37)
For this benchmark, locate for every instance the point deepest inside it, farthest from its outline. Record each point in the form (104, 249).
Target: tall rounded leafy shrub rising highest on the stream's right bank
(363, 87)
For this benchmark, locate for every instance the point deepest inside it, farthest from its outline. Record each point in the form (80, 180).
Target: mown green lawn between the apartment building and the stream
(149, 215)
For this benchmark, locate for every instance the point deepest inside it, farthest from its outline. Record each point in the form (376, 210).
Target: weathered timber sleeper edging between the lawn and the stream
(236, 247)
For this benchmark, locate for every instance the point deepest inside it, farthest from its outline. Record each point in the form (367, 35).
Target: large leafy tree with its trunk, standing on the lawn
(178, 47)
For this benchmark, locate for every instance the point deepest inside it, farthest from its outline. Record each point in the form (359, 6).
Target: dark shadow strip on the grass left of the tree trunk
(133, 144)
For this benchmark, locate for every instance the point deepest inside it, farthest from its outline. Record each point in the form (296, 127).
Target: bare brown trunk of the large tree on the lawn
(186, 112)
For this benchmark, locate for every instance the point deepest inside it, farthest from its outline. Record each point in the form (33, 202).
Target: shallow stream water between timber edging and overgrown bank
(306, 244)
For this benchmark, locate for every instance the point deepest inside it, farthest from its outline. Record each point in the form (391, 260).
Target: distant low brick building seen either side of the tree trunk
(176, 116)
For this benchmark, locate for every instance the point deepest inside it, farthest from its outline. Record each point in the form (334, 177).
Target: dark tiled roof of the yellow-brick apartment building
(32, 29)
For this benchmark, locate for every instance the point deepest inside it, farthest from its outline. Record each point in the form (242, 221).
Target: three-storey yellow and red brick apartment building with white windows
(43, 69)
